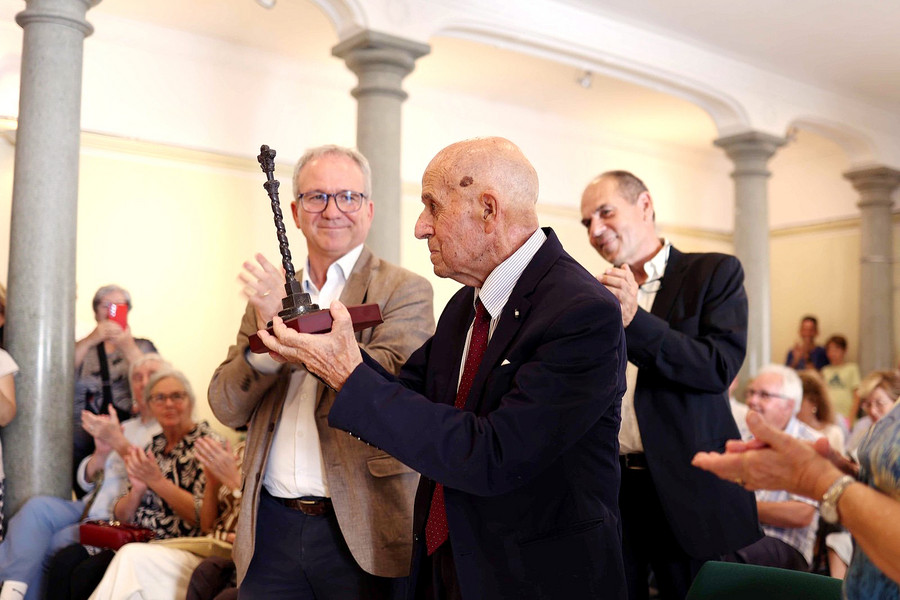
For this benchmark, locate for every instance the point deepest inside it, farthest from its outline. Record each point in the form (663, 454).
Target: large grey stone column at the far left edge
(41, 313)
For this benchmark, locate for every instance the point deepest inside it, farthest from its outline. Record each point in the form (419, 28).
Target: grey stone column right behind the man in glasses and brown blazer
(381, 61)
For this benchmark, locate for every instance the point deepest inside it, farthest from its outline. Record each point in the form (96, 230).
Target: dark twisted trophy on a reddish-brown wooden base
(298, 312)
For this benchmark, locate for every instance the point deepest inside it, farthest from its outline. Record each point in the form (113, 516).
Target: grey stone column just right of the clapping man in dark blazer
(750, 152)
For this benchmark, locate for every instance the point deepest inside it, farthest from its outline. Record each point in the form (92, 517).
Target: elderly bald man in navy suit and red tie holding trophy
(525, 462)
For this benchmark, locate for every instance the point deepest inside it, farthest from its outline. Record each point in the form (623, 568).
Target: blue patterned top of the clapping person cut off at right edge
(879, 460)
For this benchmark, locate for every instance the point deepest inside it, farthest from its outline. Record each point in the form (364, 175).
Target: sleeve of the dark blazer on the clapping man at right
(704, 350)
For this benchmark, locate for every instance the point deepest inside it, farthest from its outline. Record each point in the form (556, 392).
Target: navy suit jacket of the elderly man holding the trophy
(530, 466)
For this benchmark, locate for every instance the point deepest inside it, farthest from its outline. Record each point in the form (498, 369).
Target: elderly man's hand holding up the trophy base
(331, 356)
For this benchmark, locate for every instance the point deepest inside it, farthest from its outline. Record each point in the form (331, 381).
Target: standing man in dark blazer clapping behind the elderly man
(685, 318)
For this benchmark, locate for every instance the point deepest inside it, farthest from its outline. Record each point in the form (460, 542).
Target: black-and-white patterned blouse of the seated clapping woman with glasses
(182, 468)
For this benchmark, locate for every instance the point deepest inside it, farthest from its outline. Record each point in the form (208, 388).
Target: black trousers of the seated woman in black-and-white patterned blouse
(74, 573)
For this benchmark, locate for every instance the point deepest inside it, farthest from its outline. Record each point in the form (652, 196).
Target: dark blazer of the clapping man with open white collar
(688, 349)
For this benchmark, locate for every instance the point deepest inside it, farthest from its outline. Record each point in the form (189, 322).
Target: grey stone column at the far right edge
(876, 277)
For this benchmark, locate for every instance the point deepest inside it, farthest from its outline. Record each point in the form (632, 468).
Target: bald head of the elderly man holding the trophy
(479, 198)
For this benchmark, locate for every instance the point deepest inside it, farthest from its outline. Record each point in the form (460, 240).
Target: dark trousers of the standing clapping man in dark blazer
(648, 542)
